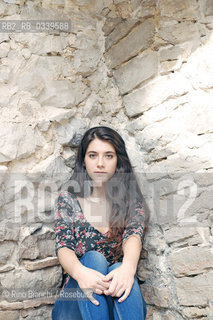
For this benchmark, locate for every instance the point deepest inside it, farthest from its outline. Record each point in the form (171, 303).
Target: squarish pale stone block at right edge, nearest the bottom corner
(195, 291)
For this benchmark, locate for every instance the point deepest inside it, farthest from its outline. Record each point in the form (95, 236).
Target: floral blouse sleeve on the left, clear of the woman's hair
(64, 227)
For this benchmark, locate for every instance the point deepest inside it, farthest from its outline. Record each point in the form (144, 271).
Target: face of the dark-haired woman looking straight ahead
(100, 161)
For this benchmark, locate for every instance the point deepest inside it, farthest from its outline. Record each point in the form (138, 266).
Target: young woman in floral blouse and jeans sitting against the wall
(100, 224)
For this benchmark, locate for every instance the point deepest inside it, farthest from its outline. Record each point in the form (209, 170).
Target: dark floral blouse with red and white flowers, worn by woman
(73, 231)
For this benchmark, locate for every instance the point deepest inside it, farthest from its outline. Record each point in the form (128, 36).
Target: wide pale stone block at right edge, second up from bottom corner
(191, 261)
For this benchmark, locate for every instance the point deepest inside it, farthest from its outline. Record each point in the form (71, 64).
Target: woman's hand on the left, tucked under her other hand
(90, 281)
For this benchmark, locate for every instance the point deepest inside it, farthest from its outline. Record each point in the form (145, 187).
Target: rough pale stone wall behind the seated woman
(144, 68)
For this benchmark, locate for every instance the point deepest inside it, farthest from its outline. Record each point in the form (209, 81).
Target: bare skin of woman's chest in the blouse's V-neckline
(96, 213)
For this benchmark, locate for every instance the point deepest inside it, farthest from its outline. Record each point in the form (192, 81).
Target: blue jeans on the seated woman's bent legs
(134, 307)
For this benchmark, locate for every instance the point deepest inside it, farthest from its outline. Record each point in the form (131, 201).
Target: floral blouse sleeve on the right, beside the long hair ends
(136, 222)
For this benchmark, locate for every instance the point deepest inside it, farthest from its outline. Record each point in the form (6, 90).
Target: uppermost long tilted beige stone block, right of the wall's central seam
(137, 40)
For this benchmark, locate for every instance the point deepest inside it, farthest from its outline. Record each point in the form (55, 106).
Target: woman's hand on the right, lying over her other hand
(122, 281)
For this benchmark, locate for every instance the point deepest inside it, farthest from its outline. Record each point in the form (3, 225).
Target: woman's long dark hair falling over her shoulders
(122, 188)
